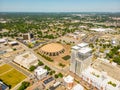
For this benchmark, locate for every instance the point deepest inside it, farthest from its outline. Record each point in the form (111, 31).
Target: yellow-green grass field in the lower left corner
(11, 77)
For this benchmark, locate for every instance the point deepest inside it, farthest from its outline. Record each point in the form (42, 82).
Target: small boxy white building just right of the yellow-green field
(40, 73)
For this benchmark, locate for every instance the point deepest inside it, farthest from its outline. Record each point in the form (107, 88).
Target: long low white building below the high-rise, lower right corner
(100, 79)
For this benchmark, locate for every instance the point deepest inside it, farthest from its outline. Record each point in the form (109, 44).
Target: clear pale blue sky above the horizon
(59, 5)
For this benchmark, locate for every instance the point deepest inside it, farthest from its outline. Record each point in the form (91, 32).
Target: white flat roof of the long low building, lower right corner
(101, 78)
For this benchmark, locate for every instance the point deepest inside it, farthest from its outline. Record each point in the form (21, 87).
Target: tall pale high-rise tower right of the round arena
(81, 56)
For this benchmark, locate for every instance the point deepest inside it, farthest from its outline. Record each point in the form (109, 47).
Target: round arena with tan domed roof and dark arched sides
(52, 49)
